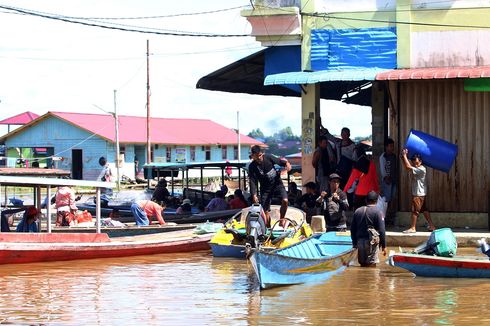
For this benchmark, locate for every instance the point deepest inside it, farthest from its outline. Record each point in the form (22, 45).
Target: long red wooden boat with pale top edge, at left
(17, 248)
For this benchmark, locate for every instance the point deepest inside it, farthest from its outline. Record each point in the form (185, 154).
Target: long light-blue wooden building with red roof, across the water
(76, 141)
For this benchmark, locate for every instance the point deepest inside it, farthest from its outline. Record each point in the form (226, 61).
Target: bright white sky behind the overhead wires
(51, 65)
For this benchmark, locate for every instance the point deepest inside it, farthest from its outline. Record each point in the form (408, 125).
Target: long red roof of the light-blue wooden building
(163, 130)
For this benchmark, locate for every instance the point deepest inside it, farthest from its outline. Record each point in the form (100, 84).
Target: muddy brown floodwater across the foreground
(197, 289)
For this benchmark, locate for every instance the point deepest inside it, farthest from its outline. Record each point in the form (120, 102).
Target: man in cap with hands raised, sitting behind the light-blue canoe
(334, 204)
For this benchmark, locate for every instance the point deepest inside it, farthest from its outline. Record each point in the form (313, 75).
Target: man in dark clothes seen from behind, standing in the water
(366, 218)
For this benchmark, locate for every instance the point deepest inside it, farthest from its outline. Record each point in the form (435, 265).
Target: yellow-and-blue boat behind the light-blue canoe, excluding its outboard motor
(230, 241)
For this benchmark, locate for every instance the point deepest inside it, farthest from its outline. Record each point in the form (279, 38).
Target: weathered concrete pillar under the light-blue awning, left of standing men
(310, 113)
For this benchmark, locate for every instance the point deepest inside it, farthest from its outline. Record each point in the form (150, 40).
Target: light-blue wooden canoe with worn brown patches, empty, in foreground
(312, 260)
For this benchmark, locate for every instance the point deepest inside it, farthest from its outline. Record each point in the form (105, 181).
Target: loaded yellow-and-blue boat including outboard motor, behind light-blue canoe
(247, 230)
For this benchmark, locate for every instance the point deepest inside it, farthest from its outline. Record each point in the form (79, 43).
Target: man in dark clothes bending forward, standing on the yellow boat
(261, 170)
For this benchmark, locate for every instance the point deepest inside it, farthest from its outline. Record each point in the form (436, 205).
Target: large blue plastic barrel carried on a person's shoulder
(436, 153)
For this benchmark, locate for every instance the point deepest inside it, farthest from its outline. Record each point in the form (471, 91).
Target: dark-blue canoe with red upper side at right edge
(435, 266)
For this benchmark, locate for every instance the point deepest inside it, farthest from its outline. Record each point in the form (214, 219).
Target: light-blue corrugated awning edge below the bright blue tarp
(313, 77)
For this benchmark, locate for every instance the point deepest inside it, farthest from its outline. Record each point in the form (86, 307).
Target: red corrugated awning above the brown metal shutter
(435, 73)
